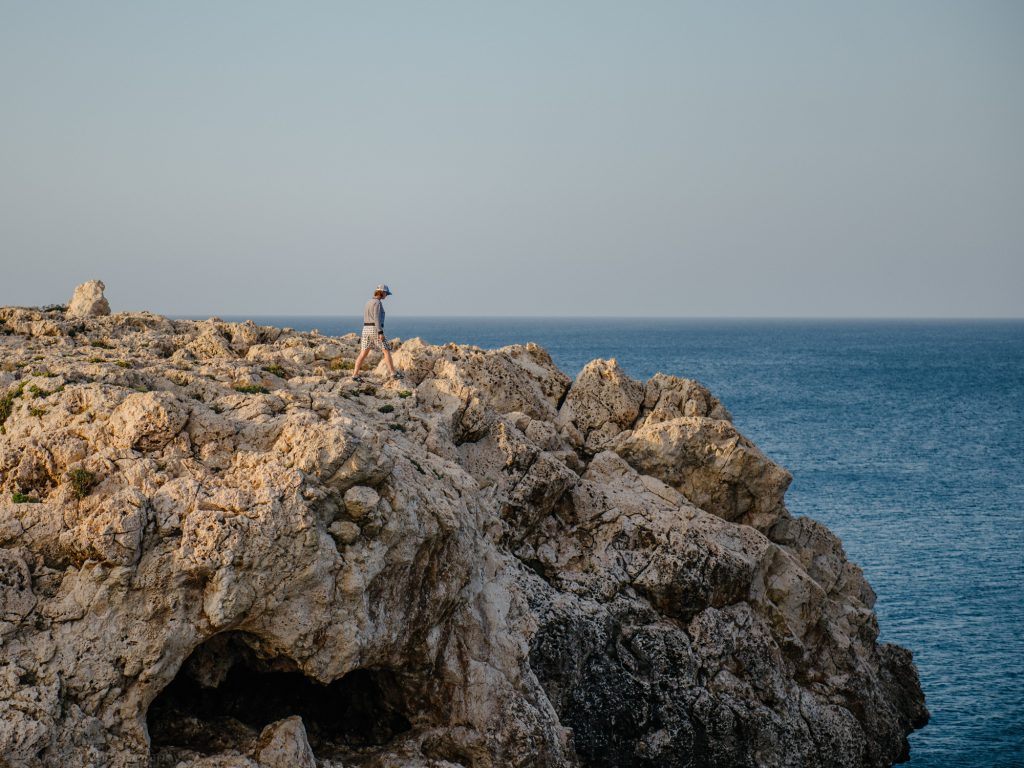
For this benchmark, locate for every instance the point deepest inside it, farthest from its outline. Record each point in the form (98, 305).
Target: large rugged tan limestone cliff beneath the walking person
(219, 550)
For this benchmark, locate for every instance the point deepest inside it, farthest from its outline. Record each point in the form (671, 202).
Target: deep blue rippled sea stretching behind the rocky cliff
(906, 439)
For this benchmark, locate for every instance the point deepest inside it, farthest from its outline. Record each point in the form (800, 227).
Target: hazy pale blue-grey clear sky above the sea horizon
(557, 158)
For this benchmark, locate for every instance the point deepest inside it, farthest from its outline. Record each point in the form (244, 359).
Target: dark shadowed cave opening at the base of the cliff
(230, 690)
